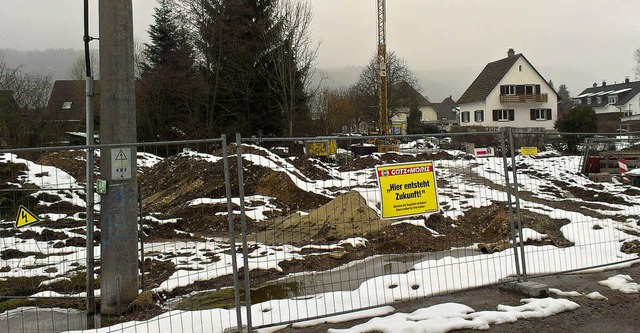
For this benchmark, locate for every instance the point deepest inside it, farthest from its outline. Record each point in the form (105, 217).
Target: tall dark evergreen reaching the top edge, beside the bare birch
(231, 40)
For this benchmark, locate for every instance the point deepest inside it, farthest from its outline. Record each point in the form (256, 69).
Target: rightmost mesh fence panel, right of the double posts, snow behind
(578, 210)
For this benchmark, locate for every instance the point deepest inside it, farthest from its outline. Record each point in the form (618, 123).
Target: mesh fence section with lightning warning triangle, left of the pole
(42, 239)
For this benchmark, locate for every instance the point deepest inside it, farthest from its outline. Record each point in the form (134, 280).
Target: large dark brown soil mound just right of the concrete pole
(173, 183)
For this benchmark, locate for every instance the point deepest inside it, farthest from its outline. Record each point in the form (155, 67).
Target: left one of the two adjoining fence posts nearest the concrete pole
(232, 233)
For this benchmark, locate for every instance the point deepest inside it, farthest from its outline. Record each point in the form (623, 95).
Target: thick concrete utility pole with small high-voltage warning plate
(119, 249)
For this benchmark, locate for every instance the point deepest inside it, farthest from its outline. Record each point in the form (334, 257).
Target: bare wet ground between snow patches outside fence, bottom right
(620, 313)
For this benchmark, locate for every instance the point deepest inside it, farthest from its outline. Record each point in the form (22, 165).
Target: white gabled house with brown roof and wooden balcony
(509, 92)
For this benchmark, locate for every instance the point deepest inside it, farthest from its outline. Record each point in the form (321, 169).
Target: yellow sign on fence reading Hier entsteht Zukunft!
(407, 189)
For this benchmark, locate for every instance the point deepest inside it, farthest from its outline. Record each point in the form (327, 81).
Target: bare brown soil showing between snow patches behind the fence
(168, 187)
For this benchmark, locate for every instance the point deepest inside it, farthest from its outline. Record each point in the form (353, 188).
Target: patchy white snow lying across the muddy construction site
(596, 231)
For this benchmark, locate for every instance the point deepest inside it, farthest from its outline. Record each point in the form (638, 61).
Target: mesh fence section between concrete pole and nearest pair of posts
(189, 262)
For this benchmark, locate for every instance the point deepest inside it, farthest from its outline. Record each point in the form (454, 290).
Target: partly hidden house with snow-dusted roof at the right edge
(617, 105)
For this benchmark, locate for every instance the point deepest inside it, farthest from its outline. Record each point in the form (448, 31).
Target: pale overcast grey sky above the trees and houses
(594, 39)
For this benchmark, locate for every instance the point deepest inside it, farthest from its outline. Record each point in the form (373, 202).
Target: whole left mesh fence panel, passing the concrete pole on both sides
(185, 235)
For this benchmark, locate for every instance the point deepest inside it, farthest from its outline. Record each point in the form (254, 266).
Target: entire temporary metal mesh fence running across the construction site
(266, 232)
